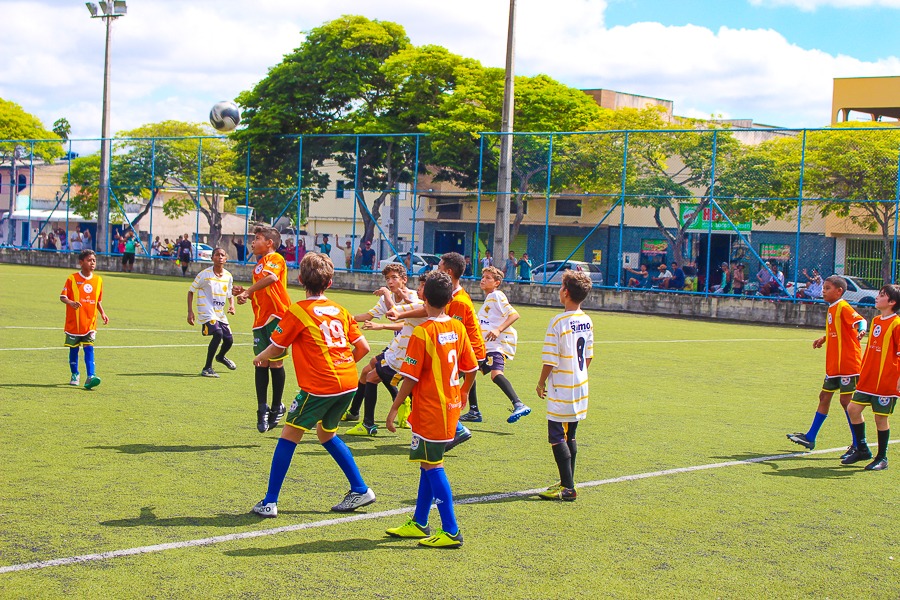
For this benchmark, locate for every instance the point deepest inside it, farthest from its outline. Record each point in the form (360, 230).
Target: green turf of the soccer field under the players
(157, 454)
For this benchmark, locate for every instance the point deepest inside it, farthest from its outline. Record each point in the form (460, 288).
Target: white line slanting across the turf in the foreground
(84, 558)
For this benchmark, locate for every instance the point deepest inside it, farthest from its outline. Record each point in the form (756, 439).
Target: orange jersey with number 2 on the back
(438, 351)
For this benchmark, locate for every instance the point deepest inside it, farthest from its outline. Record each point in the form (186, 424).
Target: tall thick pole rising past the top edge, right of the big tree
(504, 174)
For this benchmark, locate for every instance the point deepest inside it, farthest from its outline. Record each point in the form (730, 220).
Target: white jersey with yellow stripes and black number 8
(568, 345)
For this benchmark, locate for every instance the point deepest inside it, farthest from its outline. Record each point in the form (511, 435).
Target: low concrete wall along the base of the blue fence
(749, 310)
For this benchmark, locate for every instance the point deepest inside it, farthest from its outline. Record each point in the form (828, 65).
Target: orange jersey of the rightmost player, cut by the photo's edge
(881, 363)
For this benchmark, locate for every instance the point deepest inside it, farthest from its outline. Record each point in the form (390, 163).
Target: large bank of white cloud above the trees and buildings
(173, 60)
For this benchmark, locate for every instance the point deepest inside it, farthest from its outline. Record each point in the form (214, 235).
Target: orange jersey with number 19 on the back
(321, 334)
